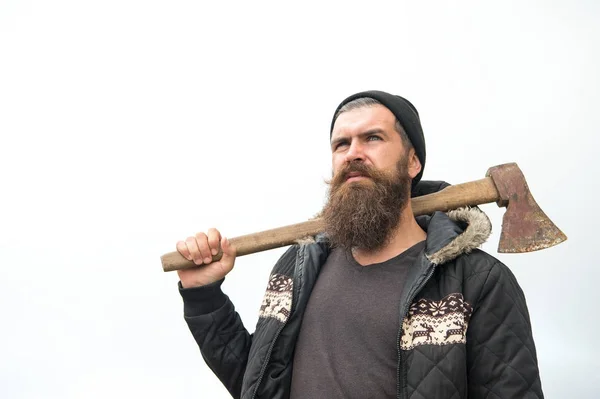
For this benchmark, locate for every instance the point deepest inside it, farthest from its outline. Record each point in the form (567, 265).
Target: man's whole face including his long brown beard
(371, 179)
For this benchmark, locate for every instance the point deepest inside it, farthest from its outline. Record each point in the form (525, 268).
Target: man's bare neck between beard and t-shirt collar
(404, 236)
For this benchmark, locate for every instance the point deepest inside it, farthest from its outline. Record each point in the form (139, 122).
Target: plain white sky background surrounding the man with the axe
(128, 125)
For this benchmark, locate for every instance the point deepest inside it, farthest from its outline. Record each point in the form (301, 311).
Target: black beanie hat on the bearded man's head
(407, 115)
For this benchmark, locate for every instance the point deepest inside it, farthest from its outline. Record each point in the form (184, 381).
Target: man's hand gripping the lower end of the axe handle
(200, 249)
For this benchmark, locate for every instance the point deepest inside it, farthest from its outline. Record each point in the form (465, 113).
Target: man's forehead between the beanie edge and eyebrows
(362, 119)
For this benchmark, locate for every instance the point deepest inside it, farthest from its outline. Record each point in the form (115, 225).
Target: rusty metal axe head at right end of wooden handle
(525, 227)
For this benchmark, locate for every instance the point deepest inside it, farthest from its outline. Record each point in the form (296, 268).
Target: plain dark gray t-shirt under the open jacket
(347, 346)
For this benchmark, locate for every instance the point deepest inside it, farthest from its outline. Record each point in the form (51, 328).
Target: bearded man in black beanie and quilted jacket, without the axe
(382, 305)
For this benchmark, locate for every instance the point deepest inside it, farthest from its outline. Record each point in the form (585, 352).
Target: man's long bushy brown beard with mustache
(363, 214)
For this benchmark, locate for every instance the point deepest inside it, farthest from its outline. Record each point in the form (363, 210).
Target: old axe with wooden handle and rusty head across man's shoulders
(525, 227)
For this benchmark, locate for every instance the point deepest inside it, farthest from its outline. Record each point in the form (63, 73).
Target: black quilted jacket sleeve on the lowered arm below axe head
(501, 355)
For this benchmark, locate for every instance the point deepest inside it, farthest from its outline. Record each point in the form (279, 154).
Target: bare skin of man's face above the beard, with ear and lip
(368, 135)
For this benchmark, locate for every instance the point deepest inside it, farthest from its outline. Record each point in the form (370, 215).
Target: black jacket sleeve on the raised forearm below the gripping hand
(219, 332)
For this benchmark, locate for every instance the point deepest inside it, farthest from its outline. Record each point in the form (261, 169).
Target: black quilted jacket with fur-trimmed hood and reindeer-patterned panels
(465, 325)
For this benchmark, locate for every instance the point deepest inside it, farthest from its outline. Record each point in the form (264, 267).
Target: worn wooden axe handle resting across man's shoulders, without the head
(466, 194)
